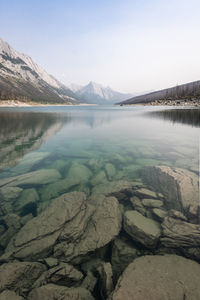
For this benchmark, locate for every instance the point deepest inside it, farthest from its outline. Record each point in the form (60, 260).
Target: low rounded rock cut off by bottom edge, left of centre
(52, 292)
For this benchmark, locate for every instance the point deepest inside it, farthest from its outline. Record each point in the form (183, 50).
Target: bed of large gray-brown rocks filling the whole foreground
(124, 240)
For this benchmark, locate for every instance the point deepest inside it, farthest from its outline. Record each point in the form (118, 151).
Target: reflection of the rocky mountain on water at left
(21, 133)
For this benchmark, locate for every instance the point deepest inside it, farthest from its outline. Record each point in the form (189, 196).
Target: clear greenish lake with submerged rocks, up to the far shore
(83, 185)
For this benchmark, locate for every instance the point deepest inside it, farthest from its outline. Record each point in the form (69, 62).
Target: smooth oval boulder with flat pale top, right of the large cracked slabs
(142, 229)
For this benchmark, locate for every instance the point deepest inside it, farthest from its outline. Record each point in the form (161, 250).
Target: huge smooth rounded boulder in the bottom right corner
(159, 277)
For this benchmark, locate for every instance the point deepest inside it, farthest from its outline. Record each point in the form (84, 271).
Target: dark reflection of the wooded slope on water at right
(183, 116)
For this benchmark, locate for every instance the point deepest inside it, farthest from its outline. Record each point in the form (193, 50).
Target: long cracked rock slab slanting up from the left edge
(37, 237)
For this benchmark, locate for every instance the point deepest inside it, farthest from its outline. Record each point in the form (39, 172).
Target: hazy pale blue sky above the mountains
(130, 45)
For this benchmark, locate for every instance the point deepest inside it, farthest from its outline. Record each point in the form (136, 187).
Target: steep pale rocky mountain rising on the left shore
(22, 78)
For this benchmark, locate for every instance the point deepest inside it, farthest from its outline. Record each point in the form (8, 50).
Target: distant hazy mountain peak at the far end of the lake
(98, 94)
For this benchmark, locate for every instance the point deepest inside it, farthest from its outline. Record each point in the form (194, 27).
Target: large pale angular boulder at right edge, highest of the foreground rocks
(183, 194)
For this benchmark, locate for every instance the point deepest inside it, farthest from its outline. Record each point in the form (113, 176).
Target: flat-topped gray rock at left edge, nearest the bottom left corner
(19, 275)
